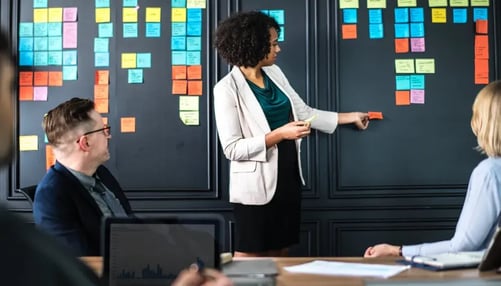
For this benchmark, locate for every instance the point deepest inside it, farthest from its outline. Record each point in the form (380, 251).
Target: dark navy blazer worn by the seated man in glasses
(64, 208)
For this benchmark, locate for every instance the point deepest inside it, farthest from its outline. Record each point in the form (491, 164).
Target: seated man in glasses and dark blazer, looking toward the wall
(78, 191)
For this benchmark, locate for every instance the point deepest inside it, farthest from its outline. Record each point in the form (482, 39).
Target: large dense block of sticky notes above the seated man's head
(47, 50)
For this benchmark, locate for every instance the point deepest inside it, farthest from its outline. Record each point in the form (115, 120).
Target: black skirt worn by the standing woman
(275, 225)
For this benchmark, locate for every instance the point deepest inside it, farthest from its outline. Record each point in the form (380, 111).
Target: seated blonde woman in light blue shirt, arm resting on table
(479, 216)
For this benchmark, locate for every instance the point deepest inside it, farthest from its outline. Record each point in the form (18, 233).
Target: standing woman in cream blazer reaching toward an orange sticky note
(260, 121)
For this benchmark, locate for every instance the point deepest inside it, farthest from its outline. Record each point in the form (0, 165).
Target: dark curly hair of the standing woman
(244, 38)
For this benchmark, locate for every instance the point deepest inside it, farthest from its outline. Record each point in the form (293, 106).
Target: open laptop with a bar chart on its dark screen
(152, 251)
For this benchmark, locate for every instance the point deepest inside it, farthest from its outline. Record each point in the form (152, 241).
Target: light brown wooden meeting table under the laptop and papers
(285, 278)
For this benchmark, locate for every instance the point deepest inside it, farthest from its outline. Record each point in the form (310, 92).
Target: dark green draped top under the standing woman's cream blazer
(274, 102)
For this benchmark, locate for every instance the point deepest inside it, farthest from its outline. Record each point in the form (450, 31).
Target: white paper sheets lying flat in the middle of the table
(347, 269)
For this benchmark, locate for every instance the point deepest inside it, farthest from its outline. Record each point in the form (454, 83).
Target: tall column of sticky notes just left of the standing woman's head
(186, 58)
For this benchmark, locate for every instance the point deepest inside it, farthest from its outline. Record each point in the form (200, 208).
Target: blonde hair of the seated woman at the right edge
(486, 119)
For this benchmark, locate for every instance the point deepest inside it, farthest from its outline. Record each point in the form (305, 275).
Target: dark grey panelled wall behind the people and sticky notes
(401, 181)
